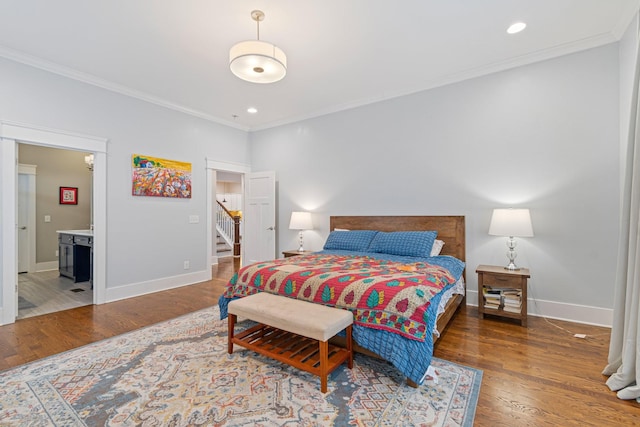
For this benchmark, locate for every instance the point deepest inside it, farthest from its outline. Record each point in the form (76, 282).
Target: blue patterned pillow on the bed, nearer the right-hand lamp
(404, 243)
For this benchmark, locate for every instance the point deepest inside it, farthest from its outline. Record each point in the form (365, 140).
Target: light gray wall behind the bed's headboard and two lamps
(543, 136)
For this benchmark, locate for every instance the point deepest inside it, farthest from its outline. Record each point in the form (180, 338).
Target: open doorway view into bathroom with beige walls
(43, 212)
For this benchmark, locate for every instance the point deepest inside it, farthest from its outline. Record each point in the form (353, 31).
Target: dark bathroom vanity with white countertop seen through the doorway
(75, 254)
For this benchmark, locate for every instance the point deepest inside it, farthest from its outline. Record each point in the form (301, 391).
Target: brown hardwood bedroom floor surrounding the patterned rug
(535, 376)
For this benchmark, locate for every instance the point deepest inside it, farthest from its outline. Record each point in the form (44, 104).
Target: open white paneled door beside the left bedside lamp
(259, 217)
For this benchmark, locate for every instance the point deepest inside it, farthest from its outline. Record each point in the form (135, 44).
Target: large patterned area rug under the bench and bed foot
(178, 373)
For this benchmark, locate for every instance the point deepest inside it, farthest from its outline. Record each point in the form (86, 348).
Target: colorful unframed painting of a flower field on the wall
(157, 177)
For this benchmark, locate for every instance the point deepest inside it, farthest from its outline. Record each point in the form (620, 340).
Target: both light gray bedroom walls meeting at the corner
(543, 136)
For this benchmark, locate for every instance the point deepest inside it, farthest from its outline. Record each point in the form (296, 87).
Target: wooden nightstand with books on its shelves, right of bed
(503, 292)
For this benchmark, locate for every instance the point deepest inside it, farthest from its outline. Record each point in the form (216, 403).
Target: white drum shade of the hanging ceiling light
(257, 61)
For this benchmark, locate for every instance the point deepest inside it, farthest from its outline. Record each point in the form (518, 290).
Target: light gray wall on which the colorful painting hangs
(147, 238)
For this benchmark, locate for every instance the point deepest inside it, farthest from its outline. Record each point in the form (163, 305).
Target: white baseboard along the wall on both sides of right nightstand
(561, 311)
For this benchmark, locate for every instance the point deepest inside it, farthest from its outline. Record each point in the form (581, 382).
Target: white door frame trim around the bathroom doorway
(12, 133)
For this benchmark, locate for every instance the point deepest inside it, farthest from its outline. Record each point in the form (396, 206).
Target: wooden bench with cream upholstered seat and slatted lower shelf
(293, 332)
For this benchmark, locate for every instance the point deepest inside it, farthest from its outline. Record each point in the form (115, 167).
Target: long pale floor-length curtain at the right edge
(623, 366)
